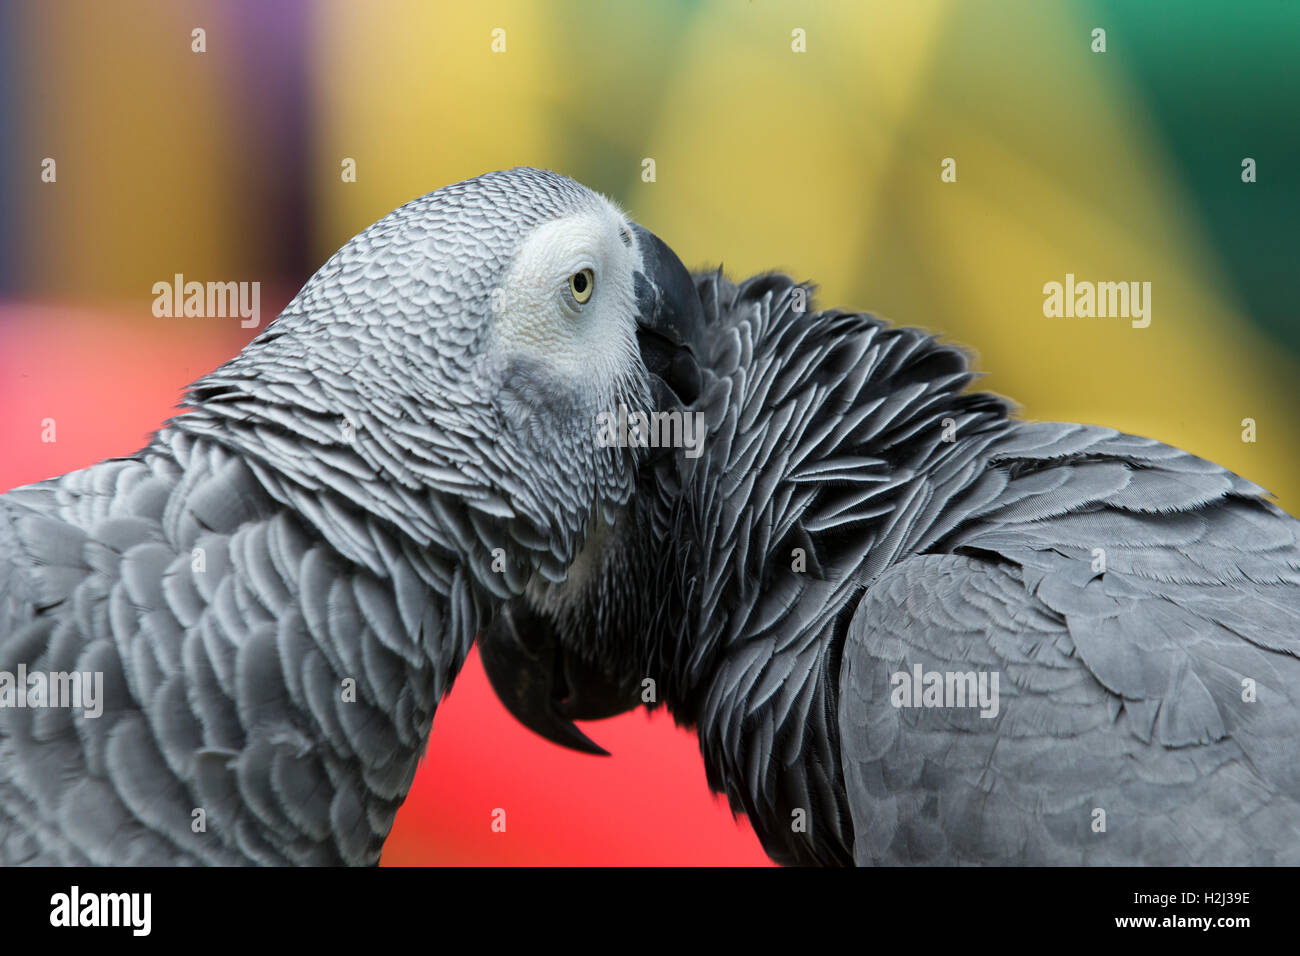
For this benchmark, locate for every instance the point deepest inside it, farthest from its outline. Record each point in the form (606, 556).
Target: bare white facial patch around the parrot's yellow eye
(535, 310)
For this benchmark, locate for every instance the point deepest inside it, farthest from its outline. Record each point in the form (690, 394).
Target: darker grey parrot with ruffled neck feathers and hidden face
(911, 629)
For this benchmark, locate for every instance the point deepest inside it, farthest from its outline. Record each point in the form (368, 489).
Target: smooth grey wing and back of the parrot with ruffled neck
(1162, 691)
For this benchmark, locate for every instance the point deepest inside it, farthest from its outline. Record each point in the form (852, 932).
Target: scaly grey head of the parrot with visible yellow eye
(447, 369)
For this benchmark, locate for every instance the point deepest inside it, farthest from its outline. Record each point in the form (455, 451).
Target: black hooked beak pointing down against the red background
(544, 687)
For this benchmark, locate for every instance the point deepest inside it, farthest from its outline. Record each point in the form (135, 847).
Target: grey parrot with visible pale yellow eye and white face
(279, 590)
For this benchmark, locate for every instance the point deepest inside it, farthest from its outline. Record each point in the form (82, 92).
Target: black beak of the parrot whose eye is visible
(671, 322)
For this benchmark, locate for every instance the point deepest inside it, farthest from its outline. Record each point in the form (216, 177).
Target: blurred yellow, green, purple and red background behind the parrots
(226, 166)
